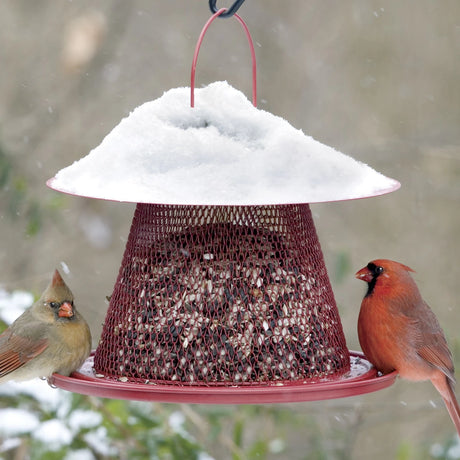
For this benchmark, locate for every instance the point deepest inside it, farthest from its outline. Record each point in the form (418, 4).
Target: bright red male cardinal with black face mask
(398, 331)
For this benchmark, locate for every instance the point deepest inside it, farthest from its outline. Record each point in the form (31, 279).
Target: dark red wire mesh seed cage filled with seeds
(230, 295)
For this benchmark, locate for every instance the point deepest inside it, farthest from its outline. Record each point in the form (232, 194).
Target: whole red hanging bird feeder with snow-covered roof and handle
(222, 295)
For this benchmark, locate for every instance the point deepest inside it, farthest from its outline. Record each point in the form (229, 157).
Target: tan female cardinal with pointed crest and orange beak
(50, 336)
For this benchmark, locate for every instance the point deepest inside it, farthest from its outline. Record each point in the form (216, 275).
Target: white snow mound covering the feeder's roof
(222, 152)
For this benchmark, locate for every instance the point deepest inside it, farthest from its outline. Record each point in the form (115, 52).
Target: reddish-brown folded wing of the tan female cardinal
(15, 351)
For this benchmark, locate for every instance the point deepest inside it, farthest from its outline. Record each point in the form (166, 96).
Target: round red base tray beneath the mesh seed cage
(362, 378)
